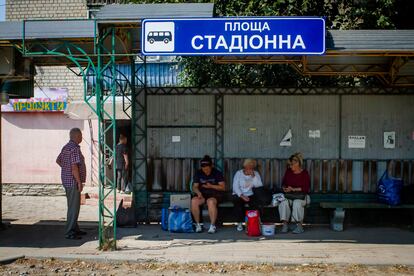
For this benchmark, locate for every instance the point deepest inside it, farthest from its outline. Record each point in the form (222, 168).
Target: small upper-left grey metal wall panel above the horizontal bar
(178, 110)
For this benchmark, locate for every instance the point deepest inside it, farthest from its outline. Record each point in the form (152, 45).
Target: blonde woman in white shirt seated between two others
(243, 183)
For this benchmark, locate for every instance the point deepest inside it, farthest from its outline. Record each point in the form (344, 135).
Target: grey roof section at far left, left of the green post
(47, 29)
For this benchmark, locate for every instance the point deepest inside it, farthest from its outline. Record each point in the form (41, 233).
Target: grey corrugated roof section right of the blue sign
(375, 40)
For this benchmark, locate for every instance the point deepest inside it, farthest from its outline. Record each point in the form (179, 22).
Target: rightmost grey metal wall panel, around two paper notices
(371, 116)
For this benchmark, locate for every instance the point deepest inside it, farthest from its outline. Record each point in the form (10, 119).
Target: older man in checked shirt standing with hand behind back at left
(73, 175)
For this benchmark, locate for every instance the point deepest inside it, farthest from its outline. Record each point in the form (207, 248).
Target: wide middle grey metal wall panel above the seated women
(255, 125)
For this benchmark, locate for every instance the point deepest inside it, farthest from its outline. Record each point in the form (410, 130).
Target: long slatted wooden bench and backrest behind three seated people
(332, 181)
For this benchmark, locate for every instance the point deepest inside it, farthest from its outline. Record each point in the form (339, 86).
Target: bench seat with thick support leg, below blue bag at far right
(338, 214)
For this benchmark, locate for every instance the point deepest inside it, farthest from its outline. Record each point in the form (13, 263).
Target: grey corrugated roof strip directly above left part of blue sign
(142, 11)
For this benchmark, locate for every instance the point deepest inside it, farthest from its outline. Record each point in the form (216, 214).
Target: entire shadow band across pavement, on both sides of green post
(50, 234)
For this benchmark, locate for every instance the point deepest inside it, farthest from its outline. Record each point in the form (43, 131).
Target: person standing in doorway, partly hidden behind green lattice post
(122, 163)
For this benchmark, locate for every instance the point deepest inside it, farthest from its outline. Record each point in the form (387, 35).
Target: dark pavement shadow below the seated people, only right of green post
(228, 234)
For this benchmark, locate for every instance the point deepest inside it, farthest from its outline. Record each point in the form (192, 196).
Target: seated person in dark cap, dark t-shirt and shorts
(208, 187)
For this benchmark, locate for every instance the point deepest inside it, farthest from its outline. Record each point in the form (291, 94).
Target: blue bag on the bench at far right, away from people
(389, 189)
